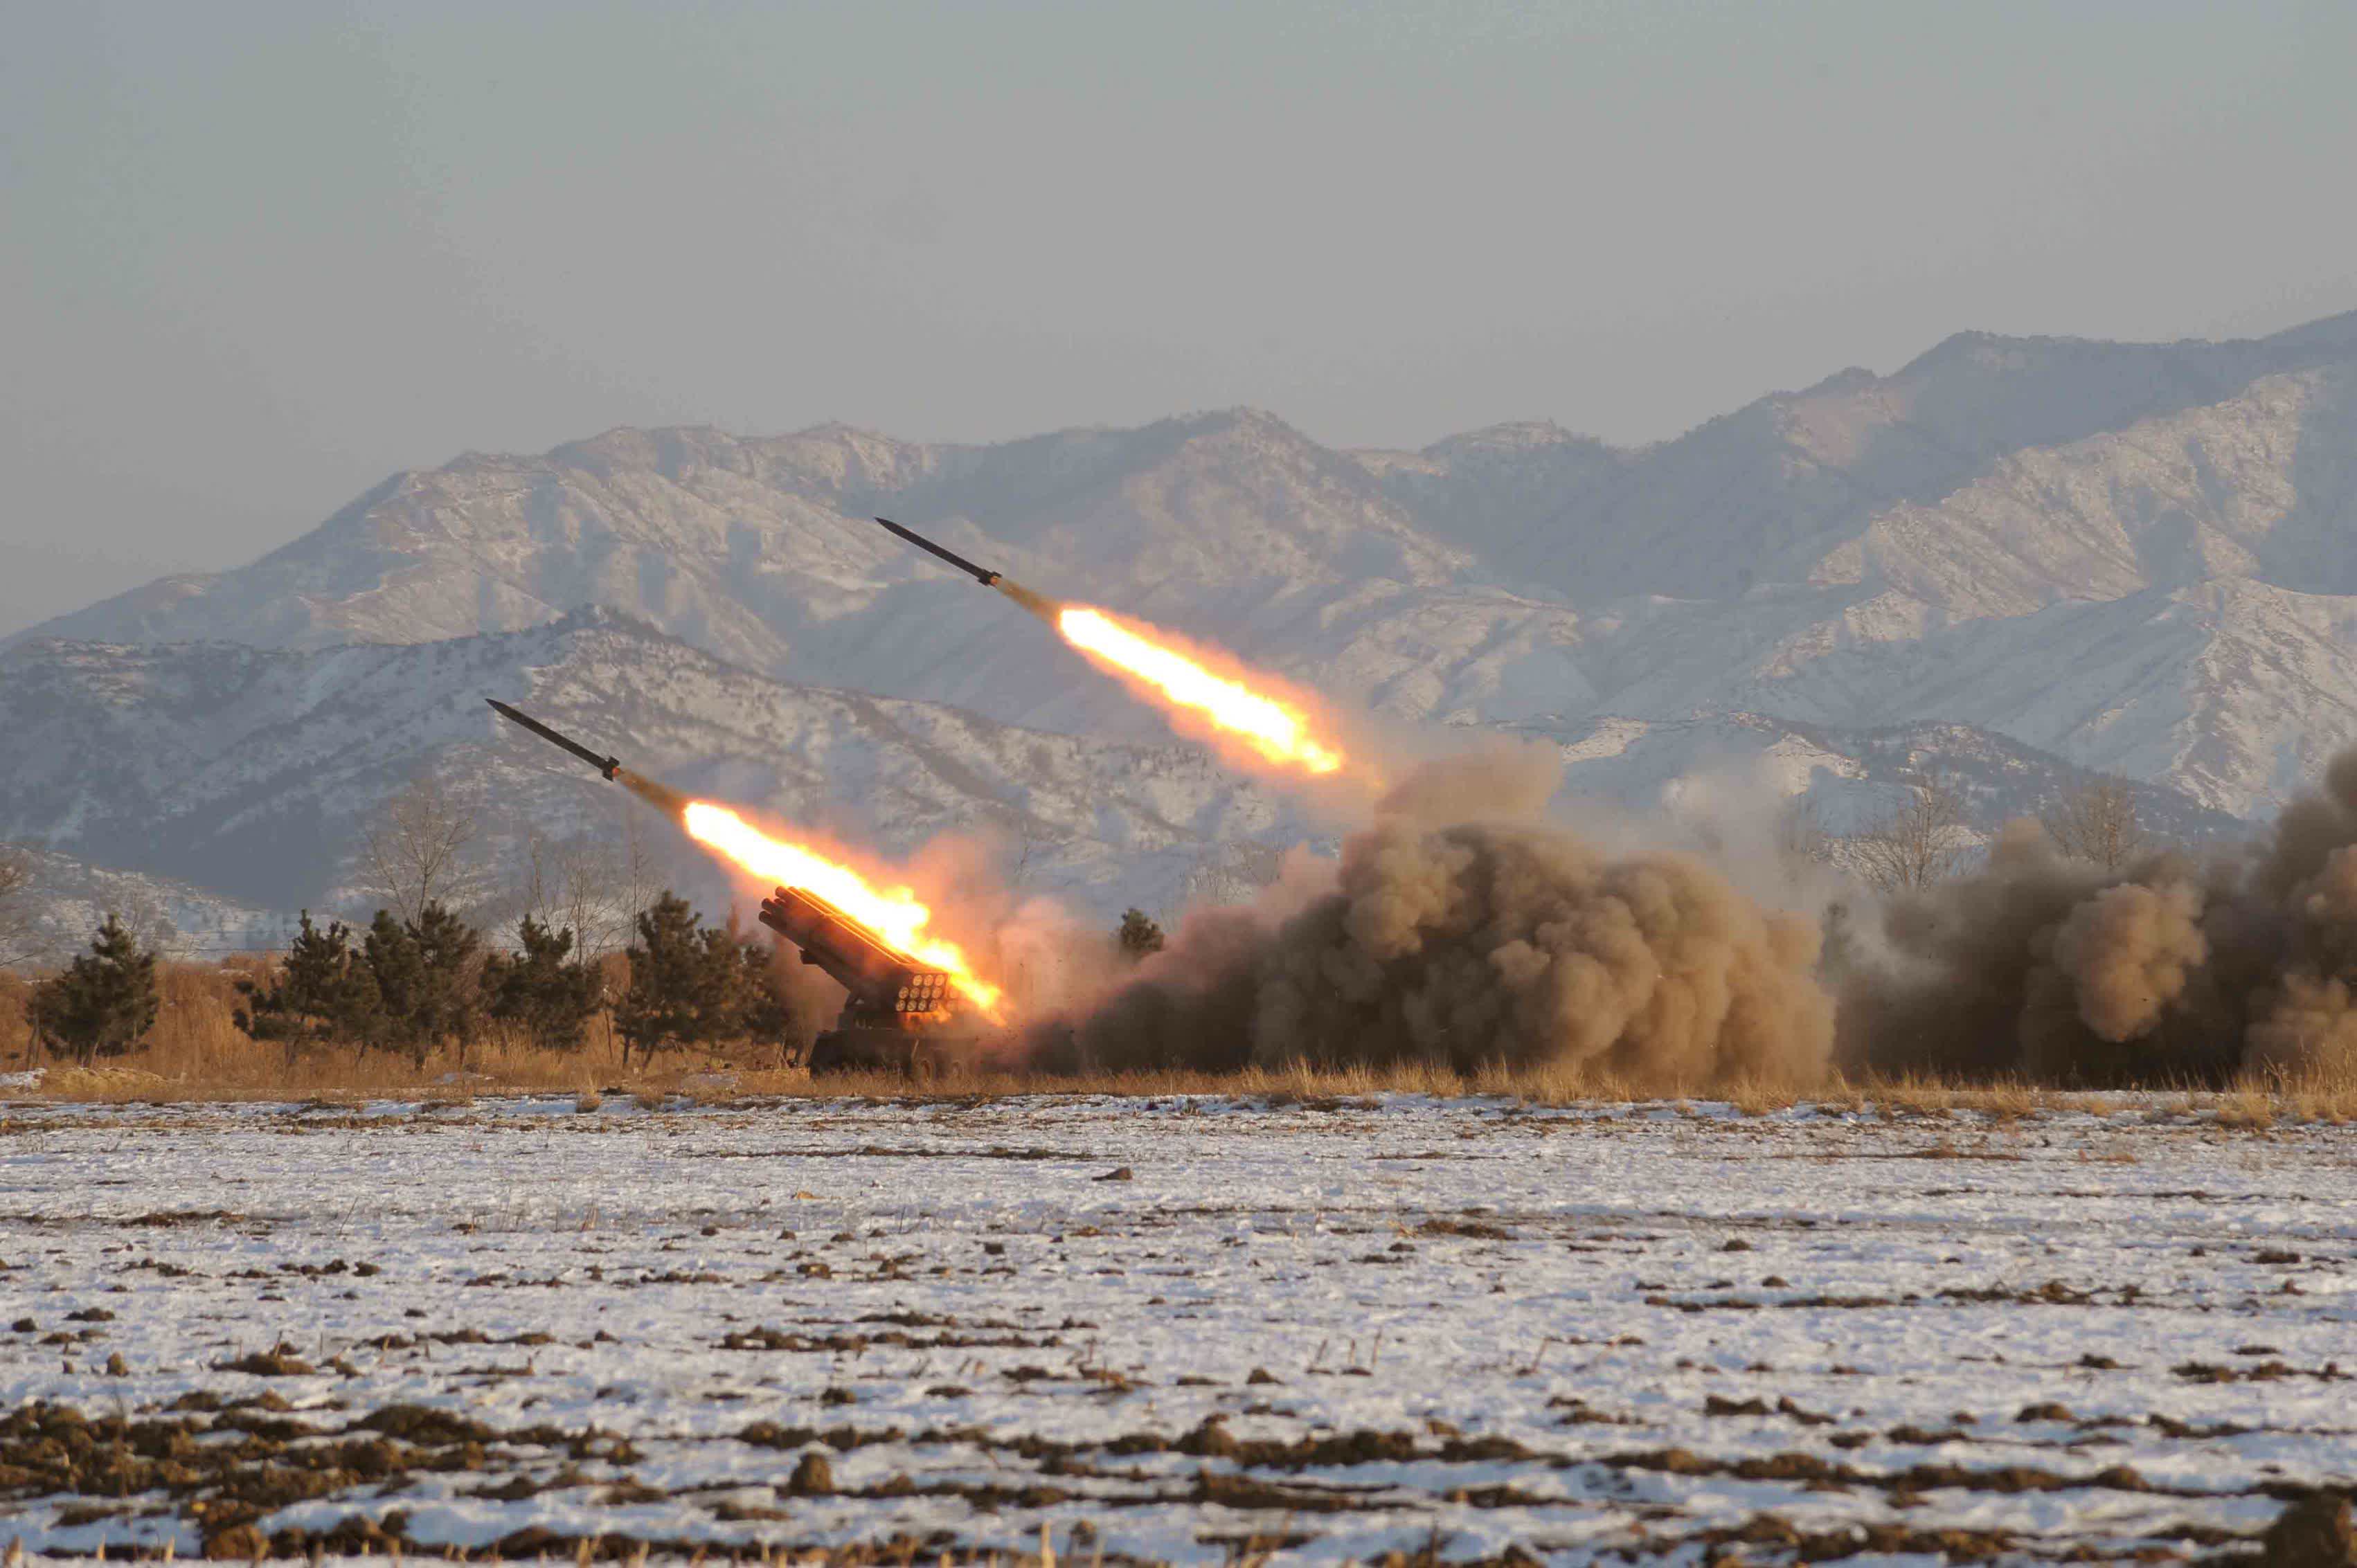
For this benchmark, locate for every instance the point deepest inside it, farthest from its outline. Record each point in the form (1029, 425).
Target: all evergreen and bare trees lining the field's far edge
(421, 977)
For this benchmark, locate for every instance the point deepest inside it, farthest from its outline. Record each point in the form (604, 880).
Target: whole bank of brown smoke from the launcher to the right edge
(1465, 930)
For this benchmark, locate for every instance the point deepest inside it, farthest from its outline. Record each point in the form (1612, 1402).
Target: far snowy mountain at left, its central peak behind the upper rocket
(760, 553)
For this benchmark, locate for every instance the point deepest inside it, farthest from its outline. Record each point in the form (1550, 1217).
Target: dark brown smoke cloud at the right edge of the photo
(2163, 973)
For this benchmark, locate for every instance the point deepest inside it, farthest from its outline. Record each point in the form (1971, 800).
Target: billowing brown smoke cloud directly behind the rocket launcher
(1463, 930)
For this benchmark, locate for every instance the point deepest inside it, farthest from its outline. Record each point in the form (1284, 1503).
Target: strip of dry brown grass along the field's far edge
(197, 1053)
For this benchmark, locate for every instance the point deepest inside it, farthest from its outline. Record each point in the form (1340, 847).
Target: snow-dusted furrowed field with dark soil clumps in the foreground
(1170, 1331)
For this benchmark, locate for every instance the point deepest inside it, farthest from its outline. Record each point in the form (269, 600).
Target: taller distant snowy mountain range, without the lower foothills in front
(2134, 555)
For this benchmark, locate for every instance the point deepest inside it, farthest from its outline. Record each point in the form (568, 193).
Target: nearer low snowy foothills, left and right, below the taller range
(253, 770)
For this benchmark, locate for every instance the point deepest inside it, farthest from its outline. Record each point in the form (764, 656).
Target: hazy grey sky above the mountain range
(260, 256)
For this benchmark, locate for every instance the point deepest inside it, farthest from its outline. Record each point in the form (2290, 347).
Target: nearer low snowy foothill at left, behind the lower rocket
(251, 770)
